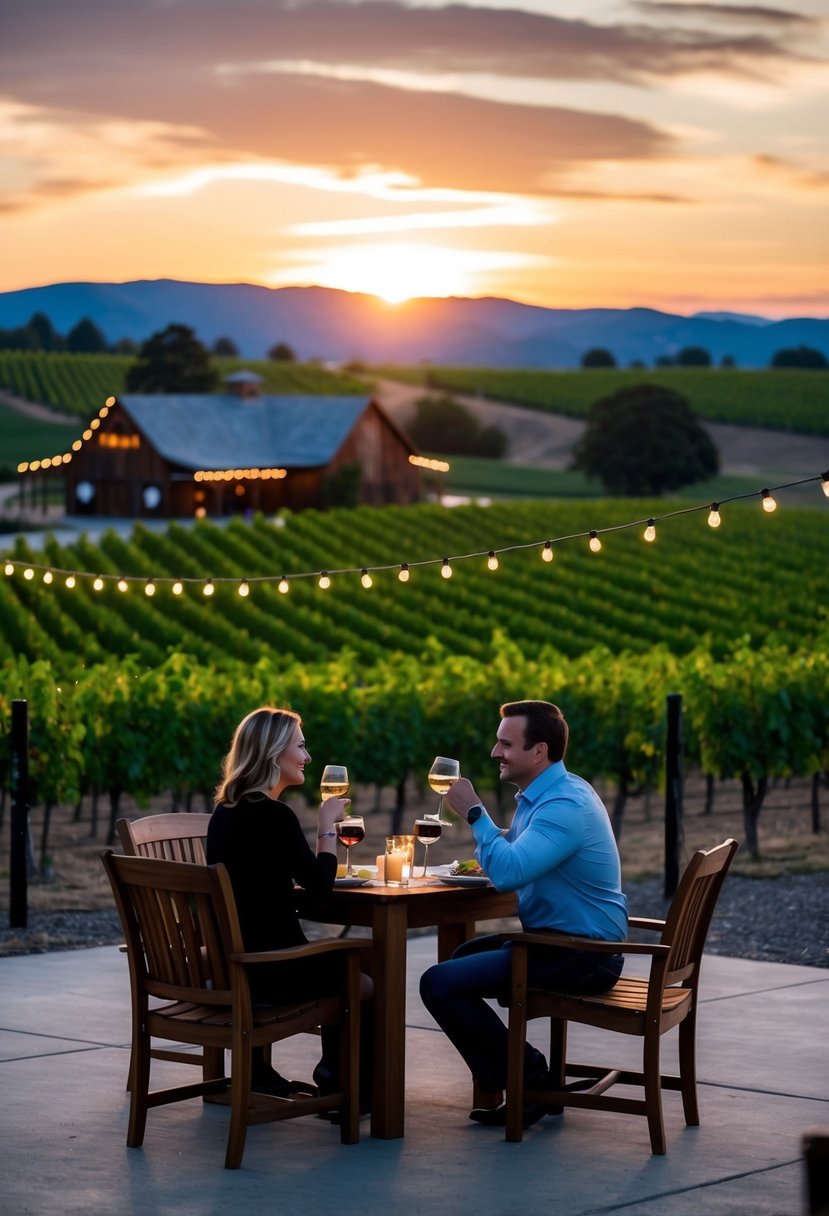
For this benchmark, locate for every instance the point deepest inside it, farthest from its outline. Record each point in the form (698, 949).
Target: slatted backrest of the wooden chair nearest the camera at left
(181, 926)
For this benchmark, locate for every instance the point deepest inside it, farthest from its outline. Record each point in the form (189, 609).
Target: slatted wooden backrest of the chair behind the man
(689, 920)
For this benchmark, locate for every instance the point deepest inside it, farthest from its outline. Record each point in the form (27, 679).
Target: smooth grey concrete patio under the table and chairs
(65, 1027)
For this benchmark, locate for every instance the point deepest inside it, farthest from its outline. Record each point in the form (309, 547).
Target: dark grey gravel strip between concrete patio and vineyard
(775, 920)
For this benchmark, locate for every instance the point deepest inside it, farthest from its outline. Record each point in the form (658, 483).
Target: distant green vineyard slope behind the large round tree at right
(780, 401)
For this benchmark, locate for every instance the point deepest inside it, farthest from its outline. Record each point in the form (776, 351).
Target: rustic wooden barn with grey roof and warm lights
(215, 455)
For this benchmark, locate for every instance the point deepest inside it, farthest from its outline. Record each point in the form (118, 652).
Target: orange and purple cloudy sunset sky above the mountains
(571, 154)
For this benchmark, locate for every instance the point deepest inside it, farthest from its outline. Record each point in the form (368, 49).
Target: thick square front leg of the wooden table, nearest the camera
(390, 954)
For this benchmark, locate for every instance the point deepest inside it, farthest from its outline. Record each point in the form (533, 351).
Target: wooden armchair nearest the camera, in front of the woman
(185, 948)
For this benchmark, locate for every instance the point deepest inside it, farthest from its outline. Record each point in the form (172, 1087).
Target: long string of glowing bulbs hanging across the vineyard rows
(244, 587)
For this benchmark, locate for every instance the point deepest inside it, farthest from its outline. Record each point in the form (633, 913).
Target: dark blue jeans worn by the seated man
(455, 994)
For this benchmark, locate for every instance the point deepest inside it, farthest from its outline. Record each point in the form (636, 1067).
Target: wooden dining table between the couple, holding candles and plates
(390, 913)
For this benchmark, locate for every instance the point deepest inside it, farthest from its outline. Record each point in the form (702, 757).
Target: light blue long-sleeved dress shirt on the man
(560, 855)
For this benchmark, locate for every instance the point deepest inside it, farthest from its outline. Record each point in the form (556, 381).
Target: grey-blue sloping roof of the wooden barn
(212, 432)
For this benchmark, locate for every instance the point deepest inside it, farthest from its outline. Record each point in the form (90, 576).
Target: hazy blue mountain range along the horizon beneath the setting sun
(339, 326)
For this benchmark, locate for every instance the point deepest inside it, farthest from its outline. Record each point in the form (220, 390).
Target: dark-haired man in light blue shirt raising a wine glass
(561, 858)
